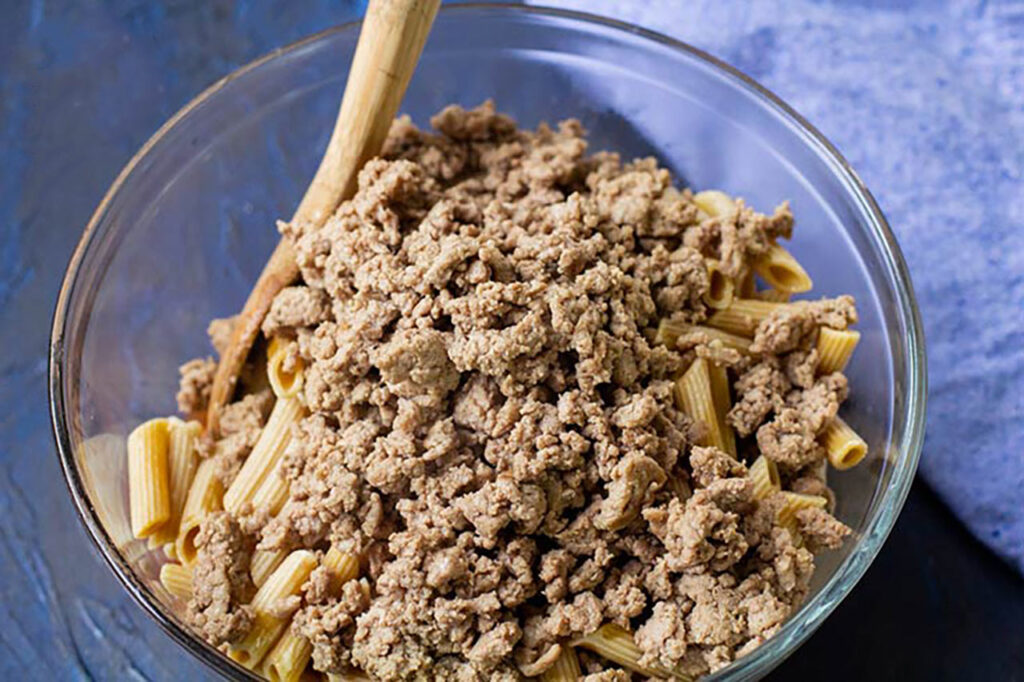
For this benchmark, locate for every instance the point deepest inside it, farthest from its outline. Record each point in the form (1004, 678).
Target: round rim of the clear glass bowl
(801, 625)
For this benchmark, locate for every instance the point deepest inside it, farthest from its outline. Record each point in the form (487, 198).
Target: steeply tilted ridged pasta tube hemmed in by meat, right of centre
(703, 394)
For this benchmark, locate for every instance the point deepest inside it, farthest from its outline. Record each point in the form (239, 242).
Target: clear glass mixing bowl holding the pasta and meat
(184, 232)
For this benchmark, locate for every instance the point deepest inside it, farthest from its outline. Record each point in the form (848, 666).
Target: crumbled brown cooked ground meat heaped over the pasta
(494, 431)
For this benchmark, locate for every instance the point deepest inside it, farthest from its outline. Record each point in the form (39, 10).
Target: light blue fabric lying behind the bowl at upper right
(927, 103)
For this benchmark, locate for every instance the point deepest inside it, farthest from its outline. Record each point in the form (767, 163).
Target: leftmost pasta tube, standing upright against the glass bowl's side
(149, 479)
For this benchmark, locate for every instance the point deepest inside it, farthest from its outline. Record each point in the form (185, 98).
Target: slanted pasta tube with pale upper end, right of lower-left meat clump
(283, 583)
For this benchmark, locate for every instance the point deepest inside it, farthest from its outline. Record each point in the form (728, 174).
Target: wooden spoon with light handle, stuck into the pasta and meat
(391, 44)
